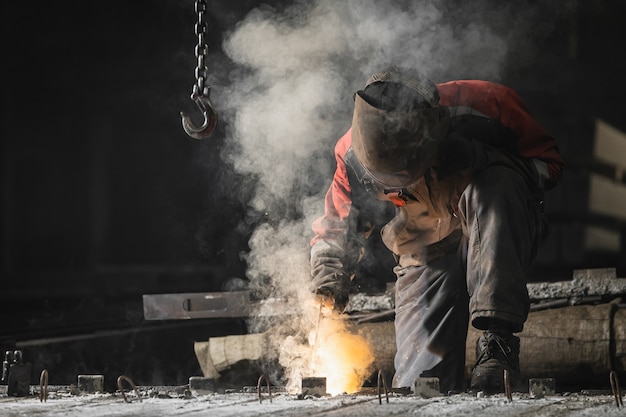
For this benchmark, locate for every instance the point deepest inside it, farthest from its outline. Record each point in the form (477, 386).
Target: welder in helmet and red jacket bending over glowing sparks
(466, 166)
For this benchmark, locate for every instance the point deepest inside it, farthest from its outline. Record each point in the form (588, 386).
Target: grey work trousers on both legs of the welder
(484, 278)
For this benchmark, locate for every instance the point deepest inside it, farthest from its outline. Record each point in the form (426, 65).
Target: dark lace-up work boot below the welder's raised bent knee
(495, 353)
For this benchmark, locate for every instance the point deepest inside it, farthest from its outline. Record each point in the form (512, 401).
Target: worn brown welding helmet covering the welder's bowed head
(396, 125)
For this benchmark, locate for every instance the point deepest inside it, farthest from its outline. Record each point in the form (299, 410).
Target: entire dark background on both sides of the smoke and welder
(105, 198)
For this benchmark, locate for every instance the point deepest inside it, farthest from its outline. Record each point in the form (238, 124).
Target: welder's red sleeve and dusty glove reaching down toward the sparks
(329, 244)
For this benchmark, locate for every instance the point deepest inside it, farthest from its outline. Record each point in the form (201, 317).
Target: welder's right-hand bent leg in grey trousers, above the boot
(504, 226)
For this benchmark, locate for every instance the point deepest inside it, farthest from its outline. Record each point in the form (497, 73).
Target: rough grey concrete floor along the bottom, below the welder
(178, 401)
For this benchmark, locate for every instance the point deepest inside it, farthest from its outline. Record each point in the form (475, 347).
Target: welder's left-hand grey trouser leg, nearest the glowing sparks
(431, 323)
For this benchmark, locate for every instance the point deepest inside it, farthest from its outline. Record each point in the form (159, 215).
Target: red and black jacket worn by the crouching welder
(480, 110)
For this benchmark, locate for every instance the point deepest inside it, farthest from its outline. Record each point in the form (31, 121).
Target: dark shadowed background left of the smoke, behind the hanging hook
(104, 197)
